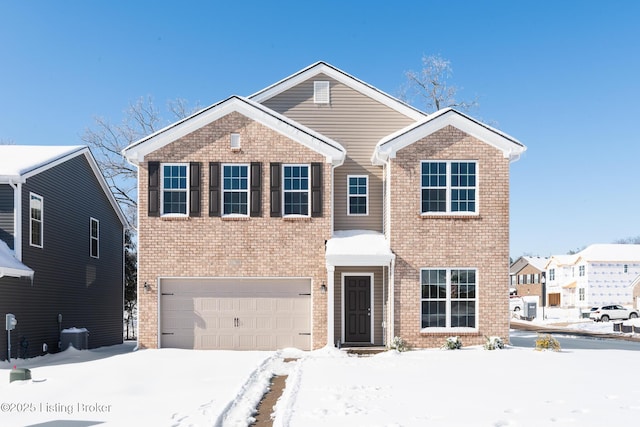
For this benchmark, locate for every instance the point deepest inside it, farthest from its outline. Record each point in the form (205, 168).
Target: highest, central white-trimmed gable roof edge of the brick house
(322, 67)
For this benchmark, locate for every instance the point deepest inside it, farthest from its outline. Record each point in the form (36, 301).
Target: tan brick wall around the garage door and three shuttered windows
(215, 247)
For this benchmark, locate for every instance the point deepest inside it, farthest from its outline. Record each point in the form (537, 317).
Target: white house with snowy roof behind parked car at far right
(600, 274)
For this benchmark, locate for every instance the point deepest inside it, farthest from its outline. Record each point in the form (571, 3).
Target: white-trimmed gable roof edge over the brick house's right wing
(391, 144)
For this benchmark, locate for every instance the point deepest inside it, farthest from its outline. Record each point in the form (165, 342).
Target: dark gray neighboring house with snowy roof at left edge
(61, 248)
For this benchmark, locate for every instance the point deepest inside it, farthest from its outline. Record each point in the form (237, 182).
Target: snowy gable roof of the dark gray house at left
(19, 162)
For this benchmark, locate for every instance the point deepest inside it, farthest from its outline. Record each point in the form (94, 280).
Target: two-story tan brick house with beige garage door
(322, 211)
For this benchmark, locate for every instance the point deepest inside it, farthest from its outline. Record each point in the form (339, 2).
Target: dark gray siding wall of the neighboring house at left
(87, 291)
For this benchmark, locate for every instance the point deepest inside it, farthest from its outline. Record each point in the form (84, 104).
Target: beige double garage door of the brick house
(235, 314)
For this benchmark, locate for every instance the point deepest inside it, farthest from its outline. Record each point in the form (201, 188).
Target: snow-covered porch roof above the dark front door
(358, 247)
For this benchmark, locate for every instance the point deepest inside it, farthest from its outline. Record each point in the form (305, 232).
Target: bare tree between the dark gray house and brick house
(107, 140)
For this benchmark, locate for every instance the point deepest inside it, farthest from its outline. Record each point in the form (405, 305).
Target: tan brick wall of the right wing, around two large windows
(480, 242)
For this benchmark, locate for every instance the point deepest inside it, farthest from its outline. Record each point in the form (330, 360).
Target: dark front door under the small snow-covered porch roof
(357, 311)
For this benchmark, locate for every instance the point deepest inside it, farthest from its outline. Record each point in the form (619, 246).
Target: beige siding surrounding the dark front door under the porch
(378, 297)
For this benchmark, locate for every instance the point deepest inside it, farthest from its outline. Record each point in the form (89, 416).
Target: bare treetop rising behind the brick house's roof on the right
(431, 86)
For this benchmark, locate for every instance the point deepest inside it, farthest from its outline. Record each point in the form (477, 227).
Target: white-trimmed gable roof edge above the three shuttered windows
(332, 150)
